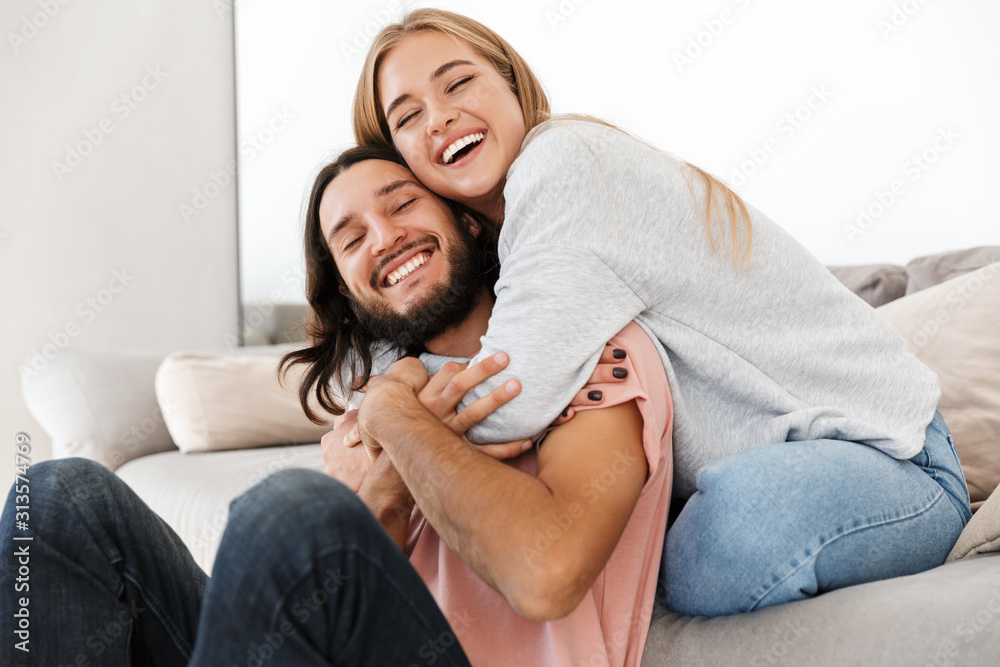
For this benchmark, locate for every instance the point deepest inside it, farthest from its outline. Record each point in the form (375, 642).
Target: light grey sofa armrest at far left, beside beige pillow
(98, 404)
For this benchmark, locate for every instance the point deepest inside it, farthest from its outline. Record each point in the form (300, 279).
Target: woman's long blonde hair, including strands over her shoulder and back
(372, 128)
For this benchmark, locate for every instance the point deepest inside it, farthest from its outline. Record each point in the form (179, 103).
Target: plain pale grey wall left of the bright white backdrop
(143, 93)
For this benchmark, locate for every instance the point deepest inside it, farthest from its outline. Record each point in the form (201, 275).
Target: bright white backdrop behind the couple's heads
(864, 127)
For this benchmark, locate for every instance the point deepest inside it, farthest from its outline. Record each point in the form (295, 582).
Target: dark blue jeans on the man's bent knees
(304, 576)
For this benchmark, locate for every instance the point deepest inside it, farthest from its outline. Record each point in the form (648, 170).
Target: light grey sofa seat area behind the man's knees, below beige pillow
(192, 492)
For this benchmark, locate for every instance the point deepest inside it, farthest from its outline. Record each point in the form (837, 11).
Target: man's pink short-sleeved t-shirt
(609, 625)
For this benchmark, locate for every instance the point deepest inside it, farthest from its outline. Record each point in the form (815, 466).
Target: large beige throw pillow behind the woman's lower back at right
(954, 328)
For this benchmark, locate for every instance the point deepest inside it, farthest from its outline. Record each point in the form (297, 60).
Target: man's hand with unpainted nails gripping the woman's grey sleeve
(440, 395)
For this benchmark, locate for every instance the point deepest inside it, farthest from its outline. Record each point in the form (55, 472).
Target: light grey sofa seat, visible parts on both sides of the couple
(946, 616)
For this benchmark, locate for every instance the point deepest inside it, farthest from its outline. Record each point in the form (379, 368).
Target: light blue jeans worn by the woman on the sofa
(789, 521)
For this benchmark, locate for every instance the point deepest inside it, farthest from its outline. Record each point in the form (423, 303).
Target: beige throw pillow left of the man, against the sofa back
(231, 401)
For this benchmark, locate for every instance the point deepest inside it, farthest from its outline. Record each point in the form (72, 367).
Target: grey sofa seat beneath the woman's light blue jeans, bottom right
(946, 616)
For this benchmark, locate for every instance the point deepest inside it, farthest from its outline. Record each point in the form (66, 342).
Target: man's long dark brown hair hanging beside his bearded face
(340, 349)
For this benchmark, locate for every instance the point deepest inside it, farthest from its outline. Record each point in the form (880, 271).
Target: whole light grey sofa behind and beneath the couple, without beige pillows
(102, 405)
